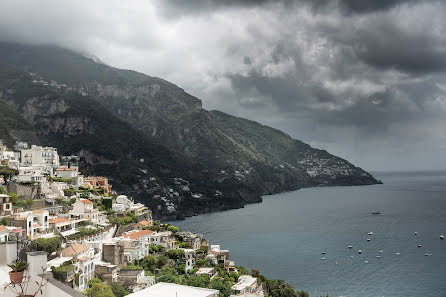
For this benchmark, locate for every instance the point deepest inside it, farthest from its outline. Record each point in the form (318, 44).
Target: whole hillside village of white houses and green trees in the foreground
(73, 235)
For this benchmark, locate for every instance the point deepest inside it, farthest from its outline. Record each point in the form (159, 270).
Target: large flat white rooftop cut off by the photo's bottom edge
(174, 290)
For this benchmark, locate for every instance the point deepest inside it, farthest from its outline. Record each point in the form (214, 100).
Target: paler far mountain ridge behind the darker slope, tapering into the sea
(263, 160)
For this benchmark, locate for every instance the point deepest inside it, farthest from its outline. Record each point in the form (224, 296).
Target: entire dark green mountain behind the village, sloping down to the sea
(154, 140)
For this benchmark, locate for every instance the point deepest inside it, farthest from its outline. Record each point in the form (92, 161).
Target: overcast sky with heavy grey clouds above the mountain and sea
(363, 79)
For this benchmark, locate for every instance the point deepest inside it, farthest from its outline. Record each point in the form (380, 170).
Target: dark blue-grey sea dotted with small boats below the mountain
(285, 235)
